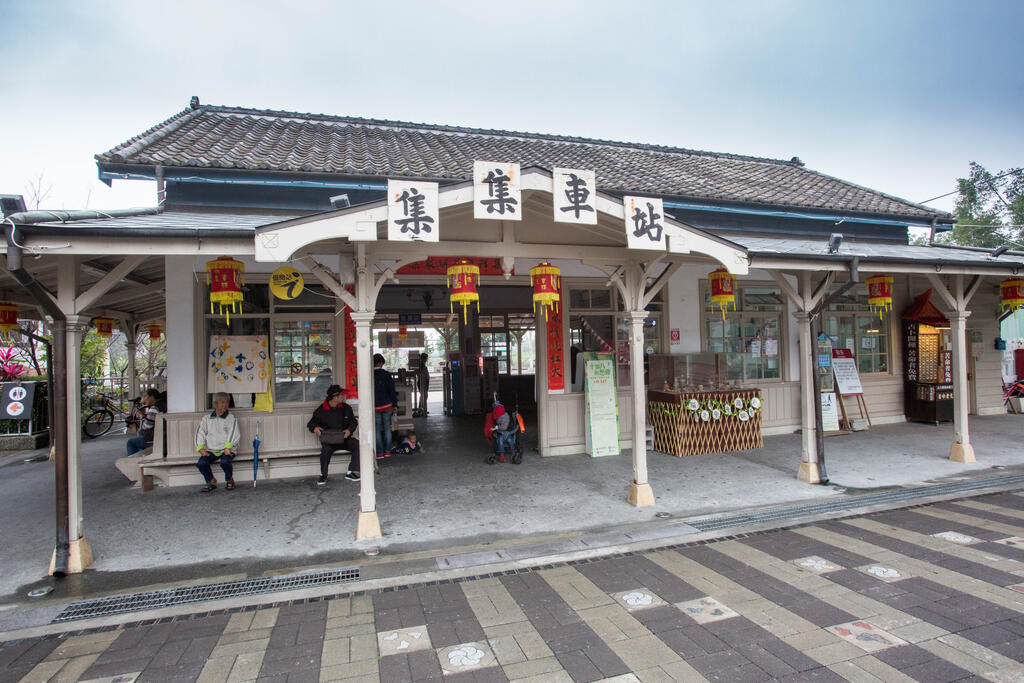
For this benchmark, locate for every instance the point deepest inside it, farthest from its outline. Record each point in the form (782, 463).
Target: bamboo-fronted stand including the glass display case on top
(694, 410)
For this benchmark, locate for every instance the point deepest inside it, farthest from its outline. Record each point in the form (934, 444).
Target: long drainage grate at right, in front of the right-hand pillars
(850, 503)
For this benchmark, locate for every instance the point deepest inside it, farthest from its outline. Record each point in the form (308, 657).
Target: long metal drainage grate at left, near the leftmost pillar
(119, 605)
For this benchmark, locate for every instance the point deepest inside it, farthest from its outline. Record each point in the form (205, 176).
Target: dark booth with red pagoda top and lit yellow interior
(928, 390)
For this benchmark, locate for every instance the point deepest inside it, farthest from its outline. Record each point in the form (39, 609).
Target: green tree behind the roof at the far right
(990, 208)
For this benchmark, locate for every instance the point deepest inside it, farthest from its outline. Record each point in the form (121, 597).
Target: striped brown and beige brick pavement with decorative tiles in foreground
(933, 593)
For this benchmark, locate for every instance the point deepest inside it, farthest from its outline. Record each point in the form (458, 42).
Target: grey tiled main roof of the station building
(228, 138)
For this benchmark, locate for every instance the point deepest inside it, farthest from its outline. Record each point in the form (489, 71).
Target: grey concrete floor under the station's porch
(446, 497)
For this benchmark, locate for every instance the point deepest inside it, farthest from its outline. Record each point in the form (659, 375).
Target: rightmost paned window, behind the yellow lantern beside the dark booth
(850, 324)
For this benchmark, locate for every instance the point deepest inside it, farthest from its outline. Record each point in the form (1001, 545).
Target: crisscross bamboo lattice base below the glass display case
(678, 434)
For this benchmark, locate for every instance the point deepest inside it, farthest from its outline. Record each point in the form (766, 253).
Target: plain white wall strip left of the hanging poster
(182, 334)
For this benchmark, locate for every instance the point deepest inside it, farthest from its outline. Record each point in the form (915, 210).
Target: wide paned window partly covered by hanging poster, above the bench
(302, 335)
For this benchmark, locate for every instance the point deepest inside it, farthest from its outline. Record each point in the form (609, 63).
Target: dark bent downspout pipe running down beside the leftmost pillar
(59, 397)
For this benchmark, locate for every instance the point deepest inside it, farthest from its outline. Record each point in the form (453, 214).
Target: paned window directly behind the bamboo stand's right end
(750, 335)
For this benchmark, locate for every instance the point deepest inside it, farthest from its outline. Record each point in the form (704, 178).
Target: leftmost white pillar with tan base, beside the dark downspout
(80, 556)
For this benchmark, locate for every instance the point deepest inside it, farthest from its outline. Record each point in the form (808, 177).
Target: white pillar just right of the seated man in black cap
(369, 525)
